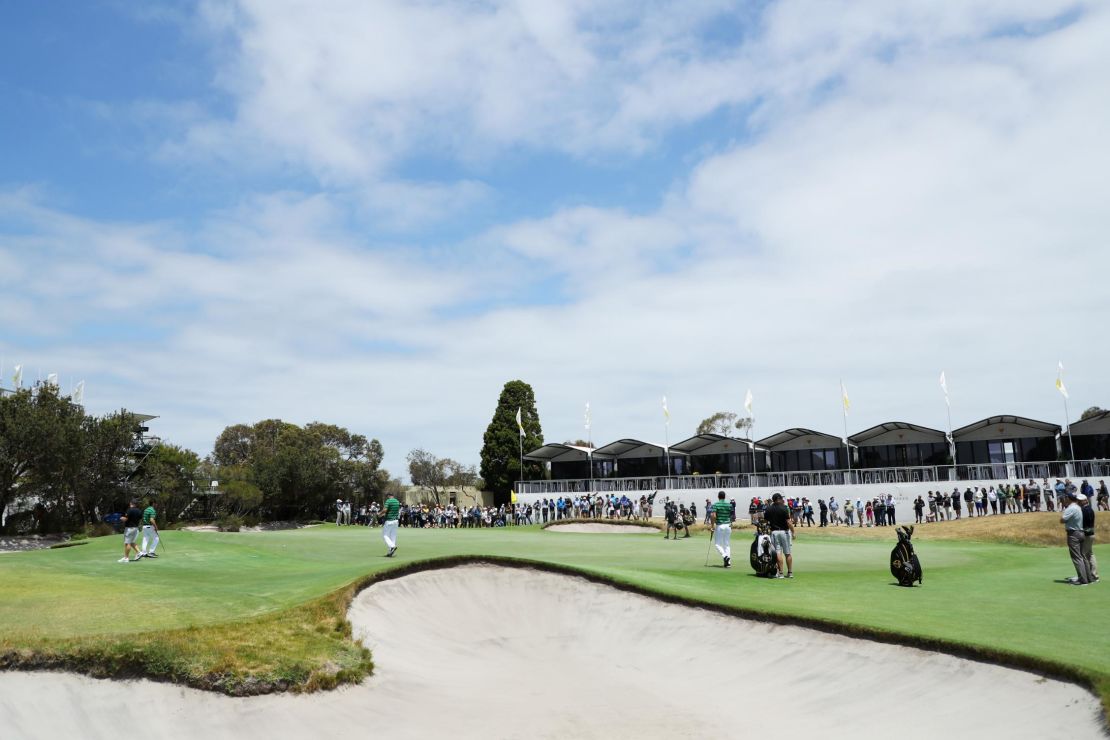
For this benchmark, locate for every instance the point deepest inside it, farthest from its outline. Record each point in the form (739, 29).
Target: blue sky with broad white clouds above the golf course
(376, 215)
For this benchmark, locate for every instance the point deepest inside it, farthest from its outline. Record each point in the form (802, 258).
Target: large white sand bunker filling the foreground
(481, 652)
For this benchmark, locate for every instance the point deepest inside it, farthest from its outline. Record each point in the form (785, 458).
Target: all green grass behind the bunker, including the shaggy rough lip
(269, 606)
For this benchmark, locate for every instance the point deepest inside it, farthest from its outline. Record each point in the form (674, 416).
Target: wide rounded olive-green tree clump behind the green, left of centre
(280, 471)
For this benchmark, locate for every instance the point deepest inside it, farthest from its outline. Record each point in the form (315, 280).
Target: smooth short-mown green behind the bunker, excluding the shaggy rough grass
(998, 597)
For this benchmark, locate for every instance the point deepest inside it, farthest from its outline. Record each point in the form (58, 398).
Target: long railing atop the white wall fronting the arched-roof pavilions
(940, 474)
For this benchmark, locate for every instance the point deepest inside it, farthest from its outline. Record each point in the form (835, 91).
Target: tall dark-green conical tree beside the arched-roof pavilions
(501, 463)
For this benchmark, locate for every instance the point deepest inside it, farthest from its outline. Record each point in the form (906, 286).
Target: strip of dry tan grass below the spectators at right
(1040, 530)
